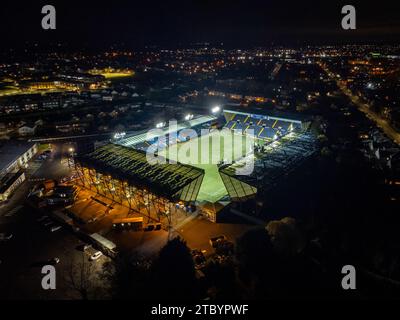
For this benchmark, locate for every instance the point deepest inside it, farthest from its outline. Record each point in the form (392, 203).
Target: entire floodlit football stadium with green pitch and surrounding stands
(194, 162)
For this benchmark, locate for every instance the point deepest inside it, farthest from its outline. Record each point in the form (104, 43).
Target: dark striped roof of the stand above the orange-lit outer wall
(127, 164)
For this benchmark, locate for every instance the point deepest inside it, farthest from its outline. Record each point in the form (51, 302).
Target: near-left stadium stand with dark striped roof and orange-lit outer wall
(124, 175)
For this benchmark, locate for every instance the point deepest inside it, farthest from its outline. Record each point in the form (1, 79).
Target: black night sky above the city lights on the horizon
(95, 24)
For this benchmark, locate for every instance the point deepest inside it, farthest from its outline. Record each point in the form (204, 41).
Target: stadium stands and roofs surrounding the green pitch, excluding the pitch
(121, 171)
